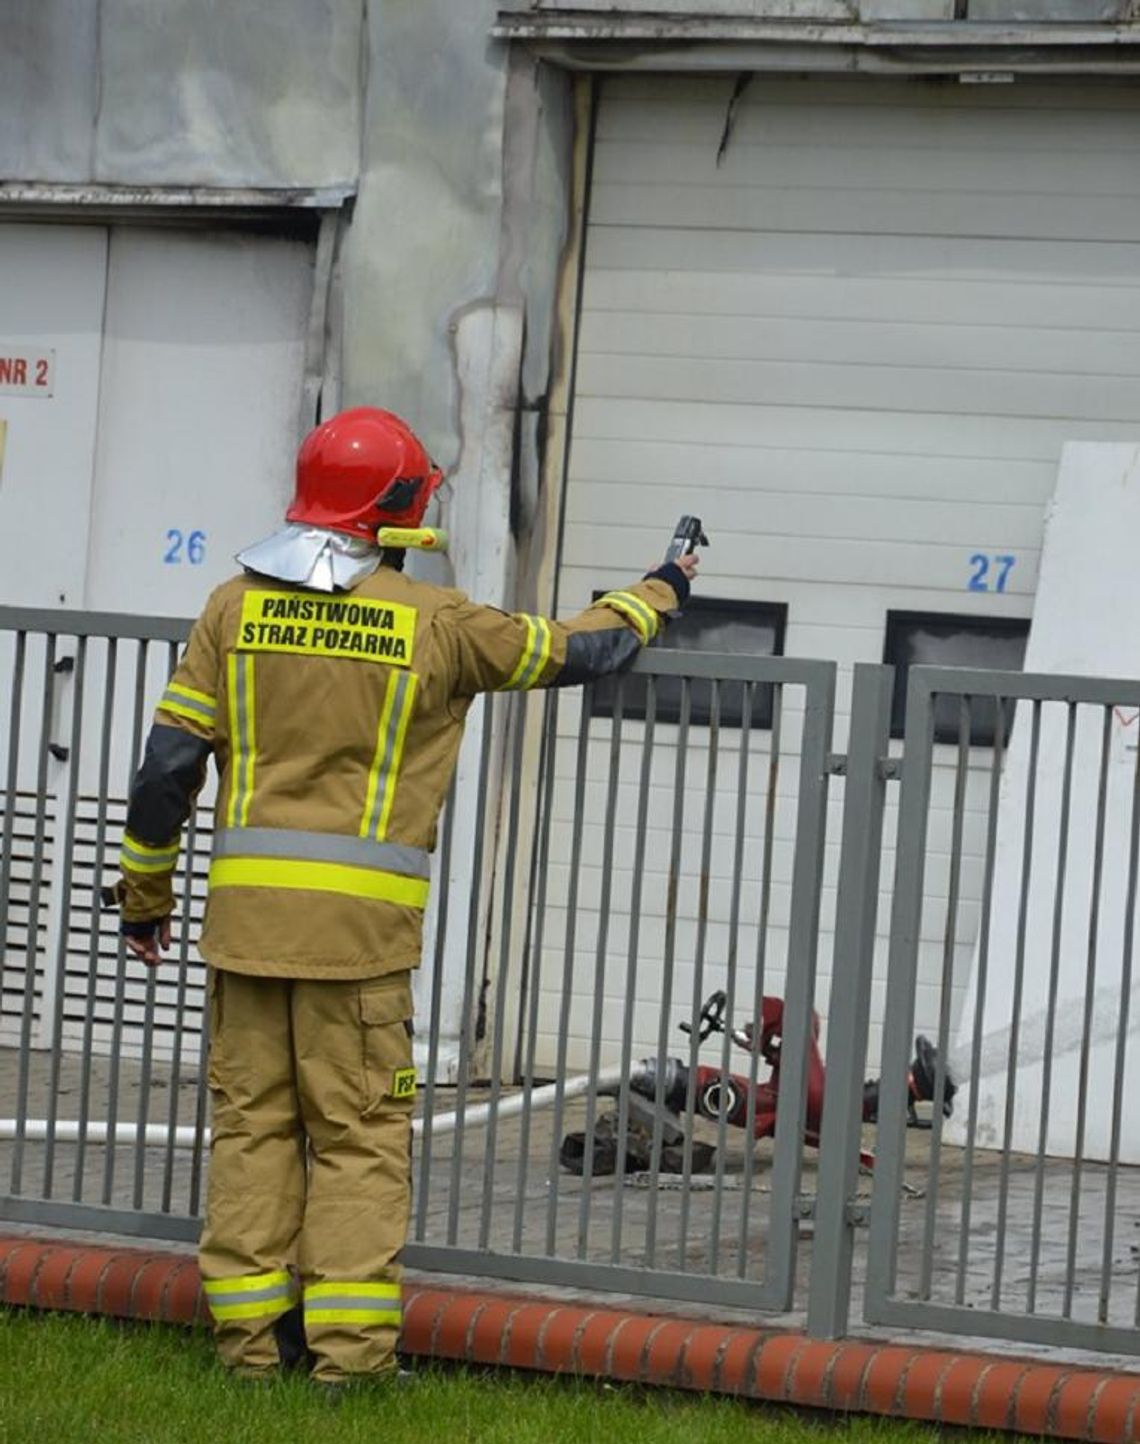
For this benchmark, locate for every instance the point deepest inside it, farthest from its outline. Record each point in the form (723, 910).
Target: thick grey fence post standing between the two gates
(850, 1006)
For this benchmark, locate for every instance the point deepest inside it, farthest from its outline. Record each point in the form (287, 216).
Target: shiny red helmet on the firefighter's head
(363, 470)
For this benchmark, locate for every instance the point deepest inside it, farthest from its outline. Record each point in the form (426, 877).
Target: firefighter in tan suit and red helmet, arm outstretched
(332, 691)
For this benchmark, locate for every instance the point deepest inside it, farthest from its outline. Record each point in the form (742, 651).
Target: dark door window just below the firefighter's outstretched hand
(706, 626)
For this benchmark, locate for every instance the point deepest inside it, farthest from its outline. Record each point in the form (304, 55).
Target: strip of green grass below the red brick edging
(67, 1380)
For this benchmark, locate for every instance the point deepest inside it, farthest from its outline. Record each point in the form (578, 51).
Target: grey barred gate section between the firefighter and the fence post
(674, 853)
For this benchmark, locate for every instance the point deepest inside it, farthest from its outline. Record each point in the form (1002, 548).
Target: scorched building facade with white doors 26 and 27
(842, 278)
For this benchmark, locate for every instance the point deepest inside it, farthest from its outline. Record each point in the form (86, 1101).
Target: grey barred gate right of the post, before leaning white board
(1019, 1215)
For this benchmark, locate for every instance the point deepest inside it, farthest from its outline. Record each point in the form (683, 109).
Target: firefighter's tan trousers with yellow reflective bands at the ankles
(310, 1169)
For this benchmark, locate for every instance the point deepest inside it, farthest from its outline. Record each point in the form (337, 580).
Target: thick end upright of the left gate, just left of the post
(800, 991)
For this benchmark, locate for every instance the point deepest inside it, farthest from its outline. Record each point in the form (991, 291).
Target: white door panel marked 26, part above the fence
(202, 389)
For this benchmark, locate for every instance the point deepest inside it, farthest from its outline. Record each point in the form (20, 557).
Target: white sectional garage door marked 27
(855, 347)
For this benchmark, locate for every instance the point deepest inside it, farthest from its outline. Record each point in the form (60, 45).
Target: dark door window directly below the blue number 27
(949, 640)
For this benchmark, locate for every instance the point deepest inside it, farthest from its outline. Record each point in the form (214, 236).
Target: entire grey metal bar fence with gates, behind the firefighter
(631, 893)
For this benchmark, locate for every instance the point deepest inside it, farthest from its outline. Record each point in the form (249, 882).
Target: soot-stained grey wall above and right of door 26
(454, 246)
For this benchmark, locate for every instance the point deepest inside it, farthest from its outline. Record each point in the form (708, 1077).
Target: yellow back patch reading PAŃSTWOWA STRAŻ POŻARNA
(327, 627)
